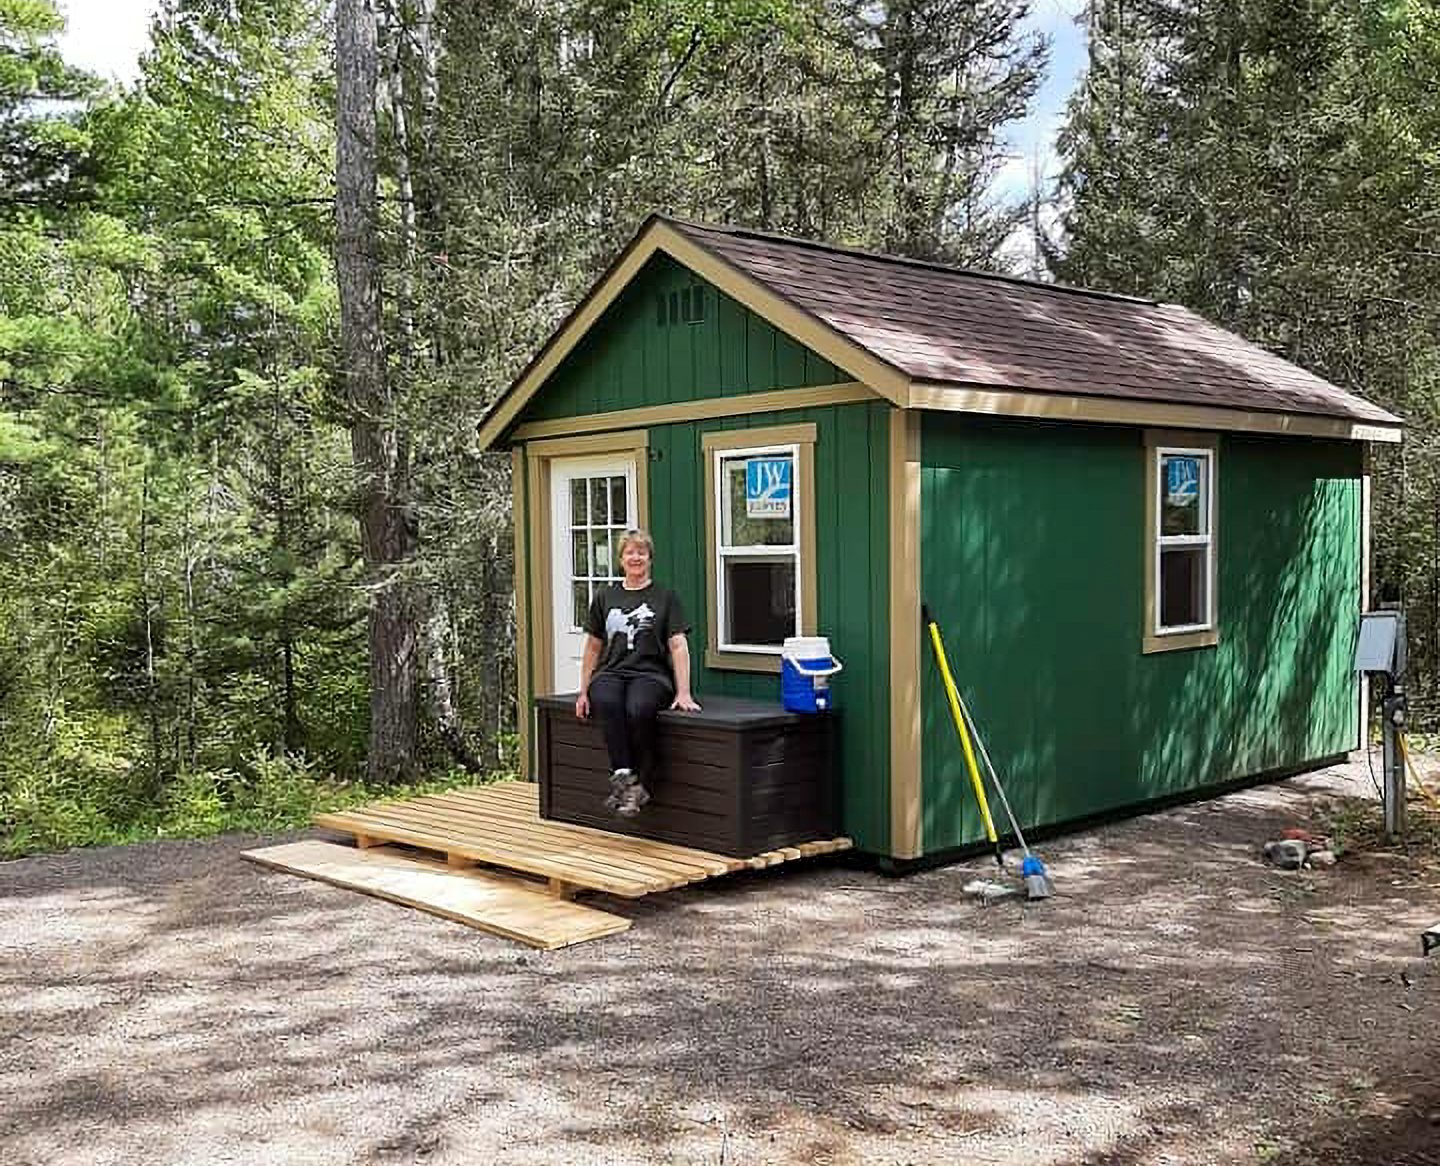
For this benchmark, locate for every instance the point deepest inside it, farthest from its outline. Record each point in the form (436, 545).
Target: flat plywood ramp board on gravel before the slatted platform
(502, 905)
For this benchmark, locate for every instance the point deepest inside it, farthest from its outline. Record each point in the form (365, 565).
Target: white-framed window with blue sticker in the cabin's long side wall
(1184, 541)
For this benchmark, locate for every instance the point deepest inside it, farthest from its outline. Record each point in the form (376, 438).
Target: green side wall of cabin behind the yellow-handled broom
(1033, 559)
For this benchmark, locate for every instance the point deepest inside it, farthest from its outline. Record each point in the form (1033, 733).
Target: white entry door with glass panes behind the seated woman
(593, 505)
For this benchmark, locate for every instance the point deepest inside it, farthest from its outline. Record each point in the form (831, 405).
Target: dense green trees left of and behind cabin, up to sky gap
(182, 594)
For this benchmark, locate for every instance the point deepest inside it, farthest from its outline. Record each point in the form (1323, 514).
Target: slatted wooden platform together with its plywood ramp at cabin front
(500, 827)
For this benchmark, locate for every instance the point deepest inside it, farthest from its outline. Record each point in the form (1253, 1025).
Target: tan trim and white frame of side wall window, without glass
(1190, 636)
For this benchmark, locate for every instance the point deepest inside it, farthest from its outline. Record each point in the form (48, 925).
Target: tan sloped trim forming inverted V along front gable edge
(659, 237)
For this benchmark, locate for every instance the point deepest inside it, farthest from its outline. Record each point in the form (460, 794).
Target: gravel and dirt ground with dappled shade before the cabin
(1177, 1003)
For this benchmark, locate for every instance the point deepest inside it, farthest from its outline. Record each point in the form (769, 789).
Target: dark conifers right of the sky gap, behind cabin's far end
(1274, 166)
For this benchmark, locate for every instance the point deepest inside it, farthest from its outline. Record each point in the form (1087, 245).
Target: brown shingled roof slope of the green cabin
(955, 327)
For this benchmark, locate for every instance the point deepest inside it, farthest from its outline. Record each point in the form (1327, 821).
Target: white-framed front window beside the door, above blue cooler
(758, 548)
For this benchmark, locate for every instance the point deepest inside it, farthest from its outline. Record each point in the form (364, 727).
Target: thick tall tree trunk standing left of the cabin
(377, 443)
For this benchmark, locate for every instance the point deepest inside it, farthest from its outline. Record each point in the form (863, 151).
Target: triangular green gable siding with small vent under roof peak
(630, 359)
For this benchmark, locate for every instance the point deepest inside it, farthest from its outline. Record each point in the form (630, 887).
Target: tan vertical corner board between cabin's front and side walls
(906, 795)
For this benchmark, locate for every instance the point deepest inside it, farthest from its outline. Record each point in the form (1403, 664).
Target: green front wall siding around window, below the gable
(852, 581)
